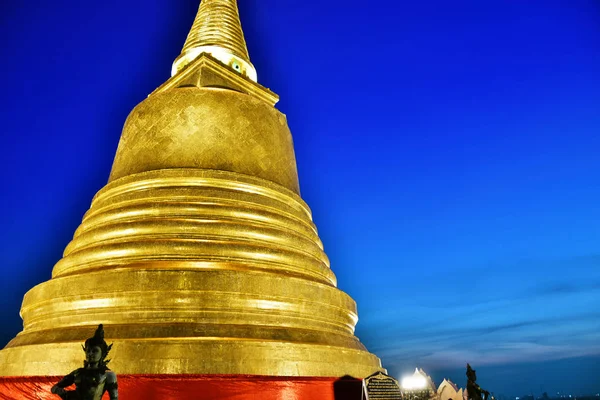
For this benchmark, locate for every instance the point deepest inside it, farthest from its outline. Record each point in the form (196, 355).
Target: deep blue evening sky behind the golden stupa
(448, 150)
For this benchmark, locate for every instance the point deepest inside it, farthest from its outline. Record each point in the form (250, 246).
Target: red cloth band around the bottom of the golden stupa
(201, 387)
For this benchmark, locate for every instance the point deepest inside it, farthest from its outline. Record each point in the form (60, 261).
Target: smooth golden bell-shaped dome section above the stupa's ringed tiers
(208, 128)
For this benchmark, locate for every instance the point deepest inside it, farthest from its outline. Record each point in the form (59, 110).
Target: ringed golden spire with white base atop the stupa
(217, 31)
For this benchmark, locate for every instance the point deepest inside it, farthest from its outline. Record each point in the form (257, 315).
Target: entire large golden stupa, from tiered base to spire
(199, 255)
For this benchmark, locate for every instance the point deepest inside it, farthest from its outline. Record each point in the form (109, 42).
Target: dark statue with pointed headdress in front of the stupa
(94, 378)
